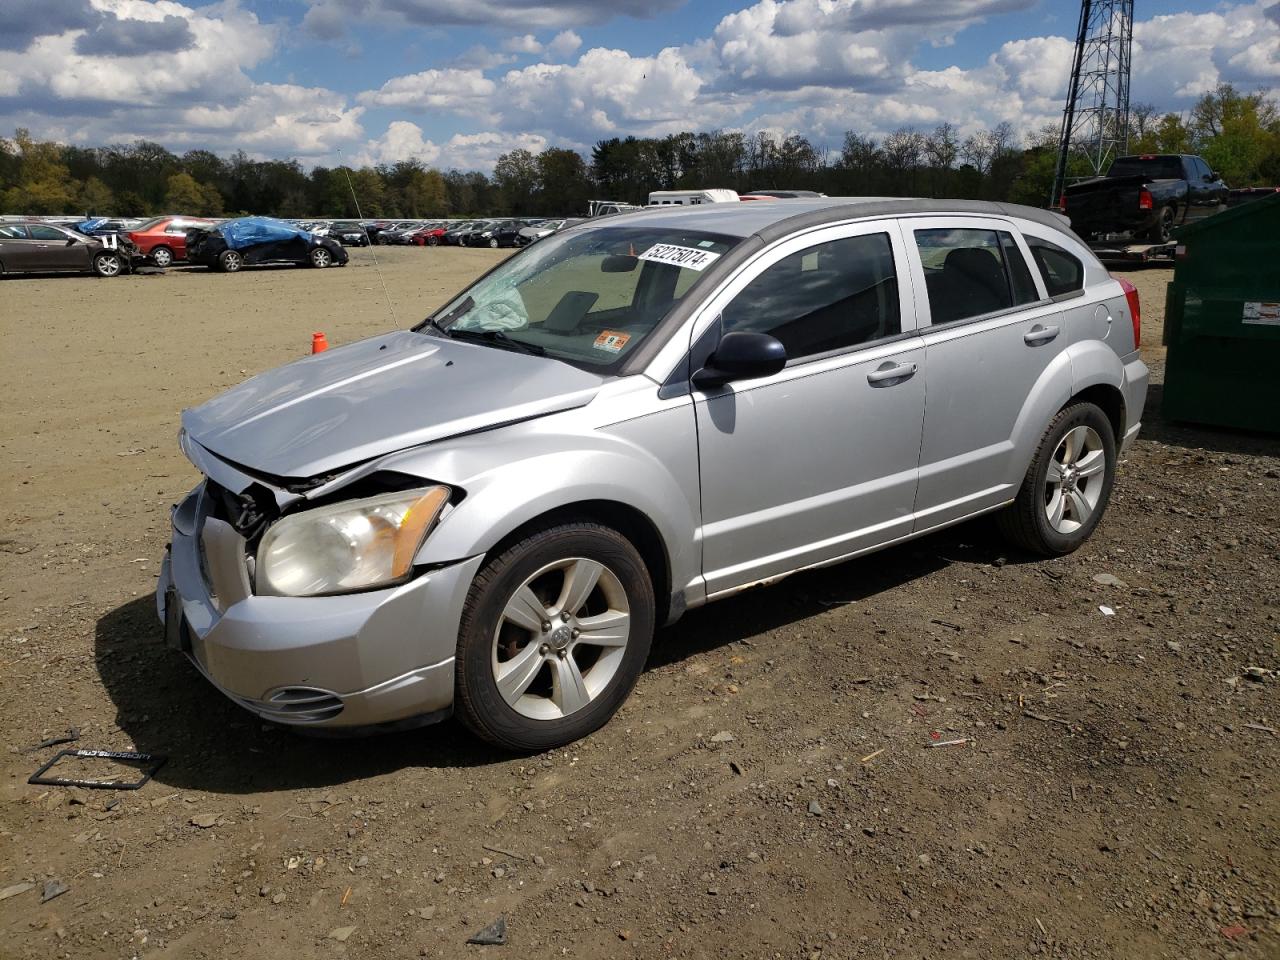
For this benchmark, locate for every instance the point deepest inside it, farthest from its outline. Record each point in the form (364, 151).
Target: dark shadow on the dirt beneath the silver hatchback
(166, 707)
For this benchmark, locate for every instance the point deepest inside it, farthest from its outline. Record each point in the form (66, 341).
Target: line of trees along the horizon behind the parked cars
(1237, 134)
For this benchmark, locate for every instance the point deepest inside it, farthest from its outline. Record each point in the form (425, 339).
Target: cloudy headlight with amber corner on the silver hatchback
(350, 546)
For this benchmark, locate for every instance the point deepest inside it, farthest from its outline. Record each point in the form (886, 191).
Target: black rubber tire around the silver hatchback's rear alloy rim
(1026, 522)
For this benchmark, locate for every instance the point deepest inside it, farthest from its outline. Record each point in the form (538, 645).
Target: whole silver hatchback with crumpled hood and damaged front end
(492, 513)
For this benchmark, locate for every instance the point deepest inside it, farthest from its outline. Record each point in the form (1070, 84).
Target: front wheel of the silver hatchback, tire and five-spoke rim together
(555, 636)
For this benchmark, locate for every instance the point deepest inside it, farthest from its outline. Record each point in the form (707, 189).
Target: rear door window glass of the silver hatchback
(971, 272)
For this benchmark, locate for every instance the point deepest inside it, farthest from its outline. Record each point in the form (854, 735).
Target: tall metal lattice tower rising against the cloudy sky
(1096, 120)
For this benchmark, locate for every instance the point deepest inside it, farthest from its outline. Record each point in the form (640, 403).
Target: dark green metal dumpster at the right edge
(1223, 321)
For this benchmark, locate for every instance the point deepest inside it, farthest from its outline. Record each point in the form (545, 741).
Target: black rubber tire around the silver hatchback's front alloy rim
(479, 703)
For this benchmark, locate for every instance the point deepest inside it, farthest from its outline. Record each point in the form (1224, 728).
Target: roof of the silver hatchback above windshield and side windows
(775, 218)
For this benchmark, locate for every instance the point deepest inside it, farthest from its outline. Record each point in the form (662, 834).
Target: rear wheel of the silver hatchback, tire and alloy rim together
(1067, 487)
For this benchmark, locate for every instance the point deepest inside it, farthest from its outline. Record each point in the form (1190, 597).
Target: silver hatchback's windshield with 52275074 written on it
(589, 298)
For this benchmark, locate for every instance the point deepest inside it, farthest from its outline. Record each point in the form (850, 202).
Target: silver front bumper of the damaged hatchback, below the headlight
(367, 660)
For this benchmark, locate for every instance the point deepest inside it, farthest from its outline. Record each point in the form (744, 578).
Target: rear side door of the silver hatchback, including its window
(991, 336)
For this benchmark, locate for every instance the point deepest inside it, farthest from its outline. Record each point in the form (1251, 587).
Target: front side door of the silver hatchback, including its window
(820, 460)
